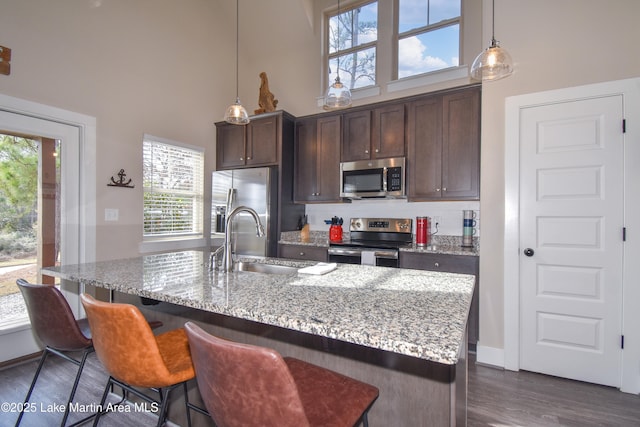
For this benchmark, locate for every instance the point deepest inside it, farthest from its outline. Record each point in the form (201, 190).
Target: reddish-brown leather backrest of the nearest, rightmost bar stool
(242, 384)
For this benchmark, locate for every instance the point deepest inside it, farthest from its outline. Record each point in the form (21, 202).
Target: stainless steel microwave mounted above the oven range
(373, 178)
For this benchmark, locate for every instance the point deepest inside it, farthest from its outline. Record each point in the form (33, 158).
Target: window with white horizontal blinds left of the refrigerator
(173, 189)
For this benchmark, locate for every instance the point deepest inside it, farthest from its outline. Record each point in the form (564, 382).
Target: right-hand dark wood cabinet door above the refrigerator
(262, 142)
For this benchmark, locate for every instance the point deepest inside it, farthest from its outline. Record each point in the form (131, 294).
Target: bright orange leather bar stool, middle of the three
(134, 357)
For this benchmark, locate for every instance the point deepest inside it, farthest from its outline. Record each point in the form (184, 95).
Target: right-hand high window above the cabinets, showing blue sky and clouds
(428, 36)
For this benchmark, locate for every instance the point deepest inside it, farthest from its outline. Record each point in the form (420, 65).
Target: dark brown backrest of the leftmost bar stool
(51, 317)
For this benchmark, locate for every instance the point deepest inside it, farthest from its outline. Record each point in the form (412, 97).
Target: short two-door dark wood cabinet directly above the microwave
(374, 134)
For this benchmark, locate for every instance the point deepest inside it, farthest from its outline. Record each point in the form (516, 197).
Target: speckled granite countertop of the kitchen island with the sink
(416, 313)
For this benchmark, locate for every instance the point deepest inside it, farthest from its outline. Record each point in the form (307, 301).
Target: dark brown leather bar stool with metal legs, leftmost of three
(54, 324)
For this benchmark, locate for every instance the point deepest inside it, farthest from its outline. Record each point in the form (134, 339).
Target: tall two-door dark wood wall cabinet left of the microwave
(317, 160)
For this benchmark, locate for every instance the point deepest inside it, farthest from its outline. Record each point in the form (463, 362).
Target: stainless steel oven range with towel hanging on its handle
(373, 241)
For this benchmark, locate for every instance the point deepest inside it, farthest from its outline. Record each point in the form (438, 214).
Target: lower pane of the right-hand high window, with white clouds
(431, 51)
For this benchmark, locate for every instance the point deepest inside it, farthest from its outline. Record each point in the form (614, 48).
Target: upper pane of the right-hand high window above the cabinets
(421, 13)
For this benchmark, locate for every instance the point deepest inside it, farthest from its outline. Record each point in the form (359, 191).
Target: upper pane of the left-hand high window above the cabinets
(353, 27)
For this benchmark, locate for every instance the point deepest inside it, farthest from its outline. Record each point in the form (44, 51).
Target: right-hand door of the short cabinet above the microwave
(387, 137)
